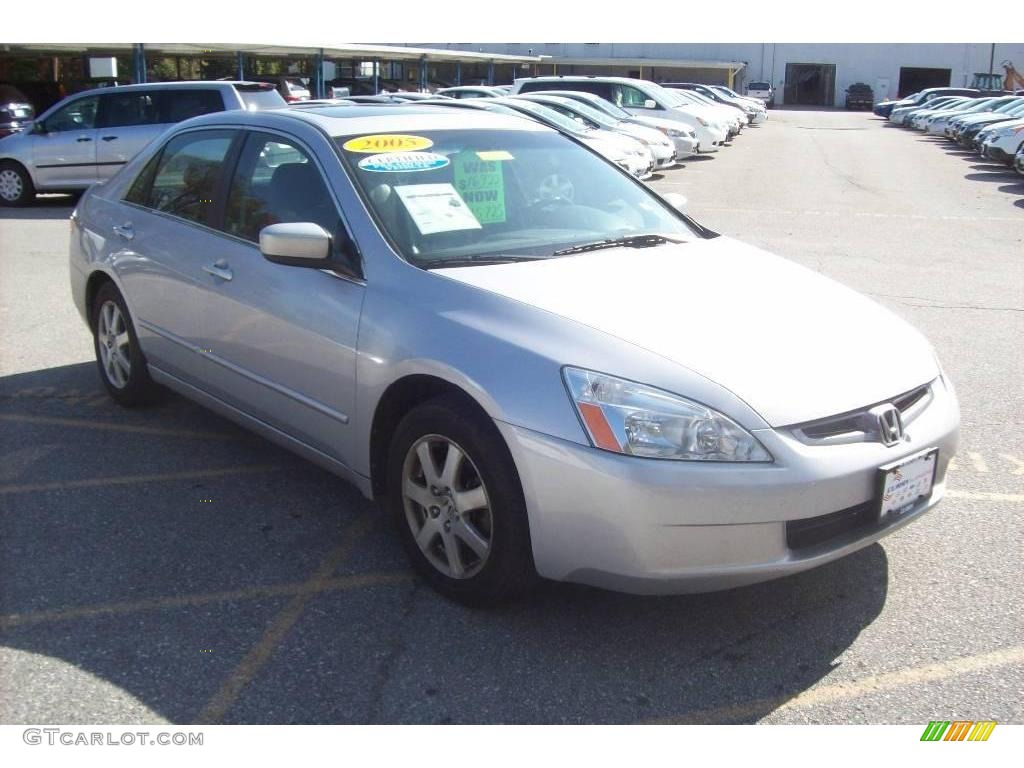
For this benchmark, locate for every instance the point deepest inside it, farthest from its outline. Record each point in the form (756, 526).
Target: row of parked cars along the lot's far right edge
(991, 124)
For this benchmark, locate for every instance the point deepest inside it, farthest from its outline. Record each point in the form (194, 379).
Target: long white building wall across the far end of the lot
(866, 63)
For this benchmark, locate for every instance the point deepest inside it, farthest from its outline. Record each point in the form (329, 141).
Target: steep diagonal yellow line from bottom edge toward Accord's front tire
(254, 661)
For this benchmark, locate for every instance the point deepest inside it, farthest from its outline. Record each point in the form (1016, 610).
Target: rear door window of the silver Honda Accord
(188, 175)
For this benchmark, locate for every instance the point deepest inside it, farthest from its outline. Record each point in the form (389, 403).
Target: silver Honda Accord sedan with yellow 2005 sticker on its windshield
(539, 366)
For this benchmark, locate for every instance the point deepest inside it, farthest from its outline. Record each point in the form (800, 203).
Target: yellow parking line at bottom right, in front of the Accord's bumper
(866, 687)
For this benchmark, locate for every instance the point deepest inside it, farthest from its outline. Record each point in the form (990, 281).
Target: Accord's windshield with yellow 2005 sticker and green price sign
(477, 197)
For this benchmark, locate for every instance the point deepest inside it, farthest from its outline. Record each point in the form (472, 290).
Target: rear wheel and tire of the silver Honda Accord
(119, 357)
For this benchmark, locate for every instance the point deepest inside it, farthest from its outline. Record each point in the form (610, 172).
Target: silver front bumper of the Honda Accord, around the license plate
(652, 527)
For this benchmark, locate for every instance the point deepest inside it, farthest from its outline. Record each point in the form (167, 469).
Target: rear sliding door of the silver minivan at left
(129, 121)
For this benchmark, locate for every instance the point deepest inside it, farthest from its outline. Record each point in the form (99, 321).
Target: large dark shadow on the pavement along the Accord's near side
(169, 554)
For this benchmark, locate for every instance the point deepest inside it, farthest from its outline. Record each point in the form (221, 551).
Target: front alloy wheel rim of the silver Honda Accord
(447, 507)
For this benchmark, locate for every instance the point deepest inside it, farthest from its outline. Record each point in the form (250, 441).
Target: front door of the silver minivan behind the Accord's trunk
(64, 152)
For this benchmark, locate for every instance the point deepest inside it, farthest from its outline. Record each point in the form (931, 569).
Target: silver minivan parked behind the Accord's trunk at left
(88, 138)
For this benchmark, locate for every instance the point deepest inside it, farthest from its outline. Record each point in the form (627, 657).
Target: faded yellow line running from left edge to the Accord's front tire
(358, 581)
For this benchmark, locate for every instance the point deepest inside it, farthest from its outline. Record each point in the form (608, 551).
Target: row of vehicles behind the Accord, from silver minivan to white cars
(639, 125)
